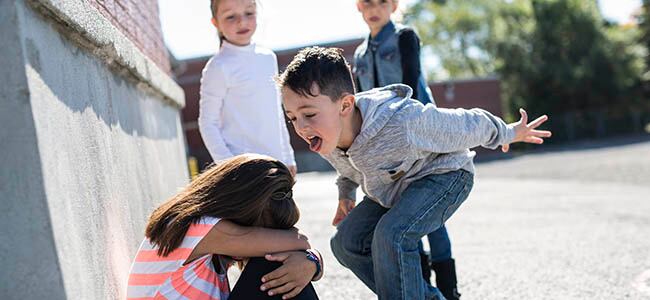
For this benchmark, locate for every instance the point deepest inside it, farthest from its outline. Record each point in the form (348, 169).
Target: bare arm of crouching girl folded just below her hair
(228, 238)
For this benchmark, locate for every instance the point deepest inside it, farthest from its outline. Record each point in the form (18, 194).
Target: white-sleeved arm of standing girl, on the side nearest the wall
(213, 92)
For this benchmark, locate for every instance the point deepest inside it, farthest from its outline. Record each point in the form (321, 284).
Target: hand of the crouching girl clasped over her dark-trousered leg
(289, 279)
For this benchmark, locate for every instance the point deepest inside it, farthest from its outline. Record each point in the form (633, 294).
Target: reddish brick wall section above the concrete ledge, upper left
(139, 21)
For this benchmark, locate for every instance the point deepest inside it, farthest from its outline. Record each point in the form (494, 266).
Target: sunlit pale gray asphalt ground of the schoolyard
(568, 222)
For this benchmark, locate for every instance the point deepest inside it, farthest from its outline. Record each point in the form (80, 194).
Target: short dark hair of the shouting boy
(326, 67)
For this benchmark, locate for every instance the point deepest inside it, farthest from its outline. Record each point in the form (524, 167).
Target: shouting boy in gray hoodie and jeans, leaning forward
(411, 160)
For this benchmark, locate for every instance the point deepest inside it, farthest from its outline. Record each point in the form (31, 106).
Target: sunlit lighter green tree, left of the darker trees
(474, 38)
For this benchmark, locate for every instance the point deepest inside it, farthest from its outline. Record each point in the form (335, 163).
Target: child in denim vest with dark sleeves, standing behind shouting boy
(391, 54)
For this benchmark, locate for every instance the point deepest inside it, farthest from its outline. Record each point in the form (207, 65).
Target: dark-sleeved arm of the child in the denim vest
(409, 48)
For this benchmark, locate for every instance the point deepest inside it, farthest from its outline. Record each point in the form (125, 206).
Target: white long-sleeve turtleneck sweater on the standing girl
(240, 106)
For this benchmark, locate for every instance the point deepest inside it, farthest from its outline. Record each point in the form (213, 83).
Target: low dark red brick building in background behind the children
(483, 93)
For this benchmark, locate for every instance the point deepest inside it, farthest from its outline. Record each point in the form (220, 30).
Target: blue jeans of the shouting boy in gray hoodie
(380, 245)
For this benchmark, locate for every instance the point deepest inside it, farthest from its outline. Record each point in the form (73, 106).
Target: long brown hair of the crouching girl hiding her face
(248, 189)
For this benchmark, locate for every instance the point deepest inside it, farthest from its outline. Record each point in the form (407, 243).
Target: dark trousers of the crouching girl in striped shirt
(248, 285)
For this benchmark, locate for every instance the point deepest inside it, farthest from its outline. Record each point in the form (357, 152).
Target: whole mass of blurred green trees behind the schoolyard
(553, 56)
